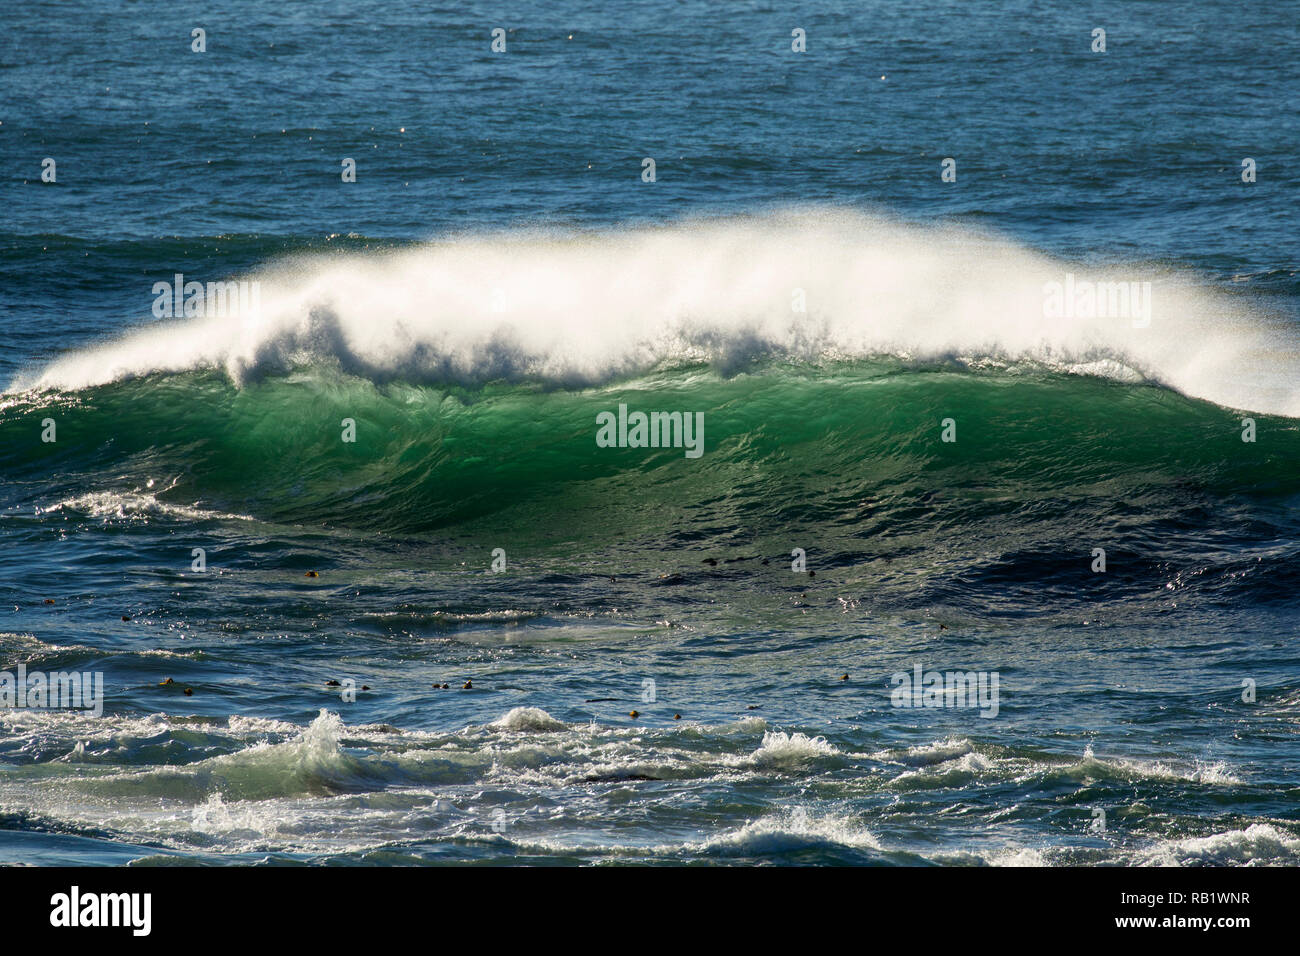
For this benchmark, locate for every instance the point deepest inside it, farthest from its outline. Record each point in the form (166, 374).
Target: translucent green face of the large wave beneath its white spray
(831, 451)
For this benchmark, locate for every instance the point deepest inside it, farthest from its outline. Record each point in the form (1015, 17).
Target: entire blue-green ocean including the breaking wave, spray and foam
(799, 279)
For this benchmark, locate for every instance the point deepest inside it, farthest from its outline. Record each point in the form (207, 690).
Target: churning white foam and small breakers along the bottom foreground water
(330, 789)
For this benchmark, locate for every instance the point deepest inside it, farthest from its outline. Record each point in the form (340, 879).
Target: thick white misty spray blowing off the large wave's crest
(584, 308)
